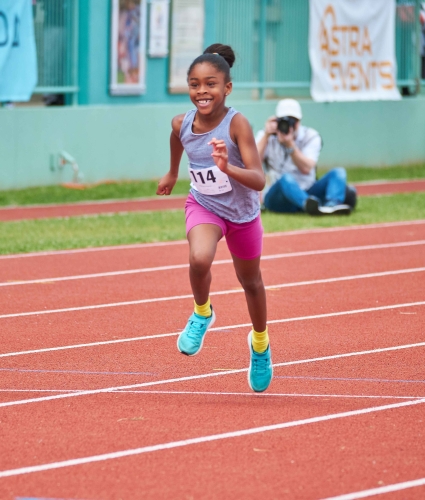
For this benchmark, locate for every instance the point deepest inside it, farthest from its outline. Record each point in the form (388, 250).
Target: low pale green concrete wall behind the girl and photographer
(131, 142)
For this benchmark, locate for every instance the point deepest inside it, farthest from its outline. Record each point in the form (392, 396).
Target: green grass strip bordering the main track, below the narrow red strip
(119, 229)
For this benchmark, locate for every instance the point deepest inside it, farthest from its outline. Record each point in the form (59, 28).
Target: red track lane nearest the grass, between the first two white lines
(62, 263)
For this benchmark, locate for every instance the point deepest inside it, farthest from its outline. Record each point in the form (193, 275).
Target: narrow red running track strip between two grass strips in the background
(168, 203)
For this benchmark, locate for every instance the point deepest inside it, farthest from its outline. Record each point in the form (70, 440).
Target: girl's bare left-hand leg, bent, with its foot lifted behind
(203, 240)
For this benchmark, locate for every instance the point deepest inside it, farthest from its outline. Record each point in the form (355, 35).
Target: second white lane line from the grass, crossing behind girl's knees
(217, 262)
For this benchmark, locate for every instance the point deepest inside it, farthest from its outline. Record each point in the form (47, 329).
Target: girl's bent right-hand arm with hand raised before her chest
(241, 133)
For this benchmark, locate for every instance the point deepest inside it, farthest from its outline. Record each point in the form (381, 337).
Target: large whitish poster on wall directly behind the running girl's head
(187, 40)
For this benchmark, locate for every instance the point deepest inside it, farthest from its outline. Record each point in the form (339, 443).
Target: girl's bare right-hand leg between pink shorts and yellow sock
(249, 276)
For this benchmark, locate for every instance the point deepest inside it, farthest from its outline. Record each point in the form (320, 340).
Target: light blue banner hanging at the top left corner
(18, 57)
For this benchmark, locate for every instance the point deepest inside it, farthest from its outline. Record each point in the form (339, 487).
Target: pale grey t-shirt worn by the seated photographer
(278, 161)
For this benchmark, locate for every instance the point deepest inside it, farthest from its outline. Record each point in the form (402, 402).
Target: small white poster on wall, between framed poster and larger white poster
(158, 28)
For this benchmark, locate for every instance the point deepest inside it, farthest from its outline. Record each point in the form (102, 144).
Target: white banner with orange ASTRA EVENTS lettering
(352, 50)
